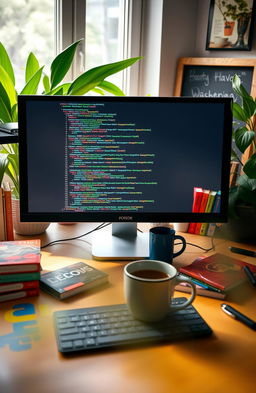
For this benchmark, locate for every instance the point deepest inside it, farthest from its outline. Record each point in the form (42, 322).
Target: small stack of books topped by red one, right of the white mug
(215, 275)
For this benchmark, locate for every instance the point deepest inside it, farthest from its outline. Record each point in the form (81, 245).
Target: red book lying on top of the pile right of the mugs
(218, 270)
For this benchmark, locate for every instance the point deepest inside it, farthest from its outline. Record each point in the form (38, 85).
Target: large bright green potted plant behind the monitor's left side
(92, 80)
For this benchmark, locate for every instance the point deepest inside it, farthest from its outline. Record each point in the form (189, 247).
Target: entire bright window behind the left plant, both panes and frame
(110, 31)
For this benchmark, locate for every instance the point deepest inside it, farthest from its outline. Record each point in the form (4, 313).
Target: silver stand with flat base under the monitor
(124, 243)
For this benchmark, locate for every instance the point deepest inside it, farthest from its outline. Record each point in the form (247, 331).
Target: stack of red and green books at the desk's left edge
(19, 269)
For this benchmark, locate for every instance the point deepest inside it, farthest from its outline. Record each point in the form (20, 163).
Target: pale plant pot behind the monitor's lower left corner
(26, 228)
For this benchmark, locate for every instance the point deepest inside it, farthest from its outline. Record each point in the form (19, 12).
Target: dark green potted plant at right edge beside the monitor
(242, 196)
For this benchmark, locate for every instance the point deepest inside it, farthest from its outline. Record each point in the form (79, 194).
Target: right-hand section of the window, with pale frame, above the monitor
(107, 29)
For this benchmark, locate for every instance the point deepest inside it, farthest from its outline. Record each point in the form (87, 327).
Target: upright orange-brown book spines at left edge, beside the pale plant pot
(6, 222)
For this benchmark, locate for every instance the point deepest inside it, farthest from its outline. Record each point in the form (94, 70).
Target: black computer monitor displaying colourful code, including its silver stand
(122, 159)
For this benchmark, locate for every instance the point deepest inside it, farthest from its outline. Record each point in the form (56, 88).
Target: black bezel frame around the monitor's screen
(220, 216)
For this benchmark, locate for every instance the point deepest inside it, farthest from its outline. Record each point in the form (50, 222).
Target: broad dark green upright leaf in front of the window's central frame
(62, 63)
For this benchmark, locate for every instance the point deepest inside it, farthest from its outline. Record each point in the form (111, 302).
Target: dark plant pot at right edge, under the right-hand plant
(243, 229)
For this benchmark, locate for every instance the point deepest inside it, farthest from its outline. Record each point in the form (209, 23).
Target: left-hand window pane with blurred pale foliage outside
(27, 26)
